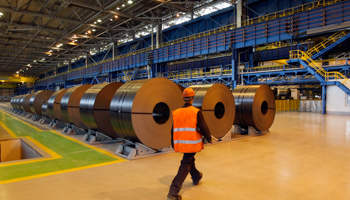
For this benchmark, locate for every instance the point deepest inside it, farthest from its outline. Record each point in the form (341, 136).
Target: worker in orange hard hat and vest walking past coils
(188, 128)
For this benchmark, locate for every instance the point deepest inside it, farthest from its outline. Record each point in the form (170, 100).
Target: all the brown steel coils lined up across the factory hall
(141, 110)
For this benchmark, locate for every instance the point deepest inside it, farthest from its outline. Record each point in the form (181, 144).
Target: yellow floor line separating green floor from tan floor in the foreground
(58, 172)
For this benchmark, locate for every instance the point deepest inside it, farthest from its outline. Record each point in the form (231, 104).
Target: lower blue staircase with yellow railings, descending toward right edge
(327, 78)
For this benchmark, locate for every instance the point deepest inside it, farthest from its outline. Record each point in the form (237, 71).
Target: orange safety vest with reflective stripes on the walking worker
(185, 135)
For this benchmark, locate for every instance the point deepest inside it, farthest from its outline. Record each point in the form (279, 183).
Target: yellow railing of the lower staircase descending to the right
(298, 54)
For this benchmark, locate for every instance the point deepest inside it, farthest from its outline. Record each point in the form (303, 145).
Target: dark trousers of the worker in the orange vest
(187, 166)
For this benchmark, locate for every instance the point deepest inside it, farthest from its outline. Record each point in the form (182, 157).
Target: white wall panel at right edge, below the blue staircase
(336, 101)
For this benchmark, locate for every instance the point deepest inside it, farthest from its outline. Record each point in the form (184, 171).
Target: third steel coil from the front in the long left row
(70, 105)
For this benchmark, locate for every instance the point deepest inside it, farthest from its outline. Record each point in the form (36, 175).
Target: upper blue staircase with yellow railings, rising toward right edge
(327, 44)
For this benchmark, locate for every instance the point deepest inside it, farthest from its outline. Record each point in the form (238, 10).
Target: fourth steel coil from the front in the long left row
(54, 105)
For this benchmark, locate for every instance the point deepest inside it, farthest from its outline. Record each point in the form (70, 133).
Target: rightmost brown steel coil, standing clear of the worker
(255, 106)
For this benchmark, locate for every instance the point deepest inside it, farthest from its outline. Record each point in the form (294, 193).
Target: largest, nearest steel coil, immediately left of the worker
(141, 111)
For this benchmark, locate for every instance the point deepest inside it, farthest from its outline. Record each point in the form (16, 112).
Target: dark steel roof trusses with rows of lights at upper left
(47, 23)
